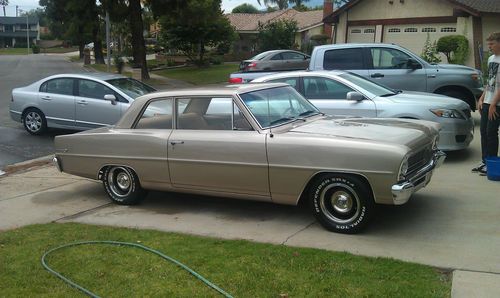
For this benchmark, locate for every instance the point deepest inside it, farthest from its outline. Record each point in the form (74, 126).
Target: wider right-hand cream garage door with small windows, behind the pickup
(413, 37)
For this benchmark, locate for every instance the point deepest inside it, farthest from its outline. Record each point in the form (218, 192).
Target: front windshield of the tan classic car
(277, 106)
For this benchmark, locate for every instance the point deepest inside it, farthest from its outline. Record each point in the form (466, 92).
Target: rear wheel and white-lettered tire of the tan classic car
(122, 185)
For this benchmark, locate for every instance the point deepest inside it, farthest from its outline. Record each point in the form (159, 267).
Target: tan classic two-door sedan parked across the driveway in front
(260, 142)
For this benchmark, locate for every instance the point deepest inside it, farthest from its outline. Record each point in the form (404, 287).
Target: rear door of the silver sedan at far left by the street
(57, 101)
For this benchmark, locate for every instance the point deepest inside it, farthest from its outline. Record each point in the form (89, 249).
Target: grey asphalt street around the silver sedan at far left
(16, 144)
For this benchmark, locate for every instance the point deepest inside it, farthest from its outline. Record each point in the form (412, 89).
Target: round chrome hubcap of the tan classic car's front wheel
(339, 203)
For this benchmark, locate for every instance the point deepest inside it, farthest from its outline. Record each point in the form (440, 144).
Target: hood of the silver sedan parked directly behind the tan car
(428, 100)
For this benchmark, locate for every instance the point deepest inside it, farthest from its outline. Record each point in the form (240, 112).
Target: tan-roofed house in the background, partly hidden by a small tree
(247, 26)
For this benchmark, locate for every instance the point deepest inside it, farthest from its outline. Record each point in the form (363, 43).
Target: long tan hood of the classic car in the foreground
(408, 132)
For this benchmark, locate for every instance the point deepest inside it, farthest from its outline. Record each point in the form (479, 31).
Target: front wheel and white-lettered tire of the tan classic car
(341, 203)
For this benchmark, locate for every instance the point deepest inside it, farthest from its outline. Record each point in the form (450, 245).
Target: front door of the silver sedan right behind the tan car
(330, 96)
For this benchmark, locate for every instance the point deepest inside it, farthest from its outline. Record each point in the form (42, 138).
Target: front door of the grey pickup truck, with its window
(390, 68)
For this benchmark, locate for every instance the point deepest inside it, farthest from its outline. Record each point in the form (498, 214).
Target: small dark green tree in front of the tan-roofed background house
(277, 35)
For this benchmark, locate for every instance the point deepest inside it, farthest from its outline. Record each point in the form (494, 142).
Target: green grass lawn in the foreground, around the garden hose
(241, 268)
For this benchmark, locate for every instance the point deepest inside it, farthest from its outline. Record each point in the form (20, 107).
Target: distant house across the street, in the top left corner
(14, 31)
